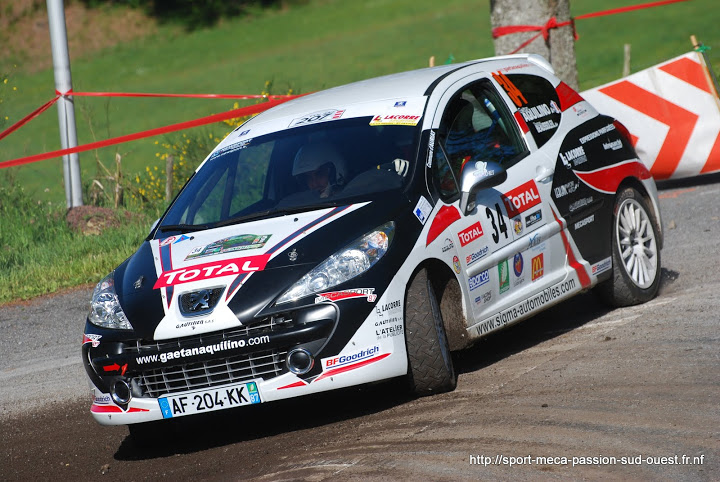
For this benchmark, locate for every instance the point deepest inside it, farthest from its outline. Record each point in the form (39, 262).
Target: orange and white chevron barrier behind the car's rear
(672, 111)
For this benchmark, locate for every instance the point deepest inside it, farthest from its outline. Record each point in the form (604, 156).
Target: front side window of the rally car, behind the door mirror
(476, 126)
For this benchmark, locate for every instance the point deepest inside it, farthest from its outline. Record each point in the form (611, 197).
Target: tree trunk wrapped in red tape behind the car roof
(559, 49)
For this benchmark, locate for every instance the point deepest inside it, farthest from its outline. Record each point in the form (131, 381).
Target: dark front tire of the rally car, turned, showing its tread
(430, 367)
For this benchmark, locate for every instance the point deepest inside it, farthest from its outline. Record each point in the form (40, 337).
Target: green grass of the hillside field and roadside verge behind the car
(307, 47)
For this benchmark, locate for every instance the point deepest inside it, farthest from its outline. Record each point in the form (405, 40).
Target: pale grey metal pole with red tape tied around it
(66, 106)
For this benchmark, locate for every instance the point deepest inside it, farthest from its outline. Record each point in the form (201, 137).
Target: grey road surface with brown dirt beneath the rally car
(581, 385)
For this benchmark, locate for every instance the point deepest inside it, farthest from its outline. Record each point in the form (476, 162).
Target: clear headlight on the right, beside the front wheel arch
(349, 262)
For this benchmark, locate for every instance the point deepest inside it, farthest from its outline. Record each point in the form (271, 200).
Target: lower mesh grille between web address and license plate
(163, 381)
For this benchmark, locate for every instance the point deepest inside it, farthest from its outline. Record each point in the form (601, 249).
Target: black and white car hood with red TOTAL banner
(222, 278)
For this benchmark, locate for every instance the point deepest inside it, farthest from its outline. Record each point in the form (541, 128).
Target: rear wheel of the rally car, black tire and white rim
(635, 253)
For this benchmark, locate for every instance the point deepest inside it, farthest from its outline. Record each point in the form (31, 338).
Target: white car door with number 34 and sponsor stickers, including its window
(509, 243)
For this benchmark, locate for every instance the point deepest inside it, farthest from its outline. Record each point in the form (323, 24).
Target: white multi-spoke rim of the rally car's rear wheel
(637, 244)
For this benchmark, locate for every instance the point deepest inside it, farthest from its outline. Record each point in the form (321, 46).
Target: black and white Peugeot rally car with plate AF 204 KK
(364, 232)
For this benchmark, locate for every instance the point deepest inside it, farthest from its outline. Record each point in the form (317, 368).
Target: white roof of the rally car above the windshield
(410, 84)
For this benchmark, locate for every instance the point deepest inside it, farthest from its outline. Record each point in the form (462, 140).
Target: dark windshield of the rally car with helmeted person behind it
(296, 169)
